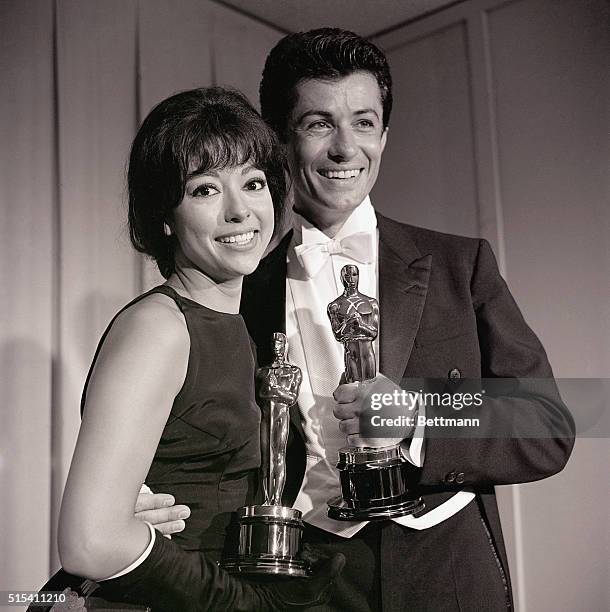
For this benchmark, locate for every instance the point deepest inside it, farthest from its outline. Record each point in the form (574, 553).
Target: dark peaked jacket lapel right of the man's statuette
(403, 284)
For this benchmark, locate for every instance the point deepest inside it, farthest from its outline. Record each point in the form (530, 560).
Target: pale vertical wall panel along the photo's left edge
(27, 239)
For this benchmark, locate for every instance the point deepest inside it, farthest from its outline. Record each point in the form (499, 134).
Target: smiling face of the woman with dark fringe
(224, 222)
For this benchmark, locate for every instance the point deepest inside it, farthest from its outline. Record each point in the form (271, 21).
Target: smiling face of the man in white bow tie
(335, 141)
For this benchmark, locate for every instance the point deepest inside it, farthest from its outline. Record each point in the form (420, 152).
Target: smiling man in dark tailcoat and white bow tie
(445, 313)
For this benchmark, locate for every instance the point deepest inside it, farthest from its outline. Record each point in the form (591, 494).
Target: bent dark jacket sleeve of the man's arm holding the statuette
(525, 431)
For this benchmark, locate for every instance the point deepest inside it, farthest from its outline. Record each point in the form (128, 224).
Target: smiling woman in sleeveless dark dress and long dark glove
(169, 398)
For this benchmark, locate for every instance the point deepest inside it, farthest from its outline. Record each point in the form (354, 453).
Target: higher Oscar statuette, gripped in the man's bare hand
(373, 479)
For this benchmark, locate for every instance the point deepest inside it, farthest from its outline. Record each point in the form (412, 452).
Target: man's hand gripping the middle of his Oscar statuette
(375, 413)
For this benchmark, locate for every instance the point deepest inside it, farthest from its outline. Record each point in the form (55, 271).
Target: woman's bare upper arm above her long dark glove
(139, 371)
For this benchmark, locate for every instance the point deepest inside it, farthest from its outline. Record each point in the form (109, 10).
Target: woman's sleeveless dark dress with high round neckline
(209, 452)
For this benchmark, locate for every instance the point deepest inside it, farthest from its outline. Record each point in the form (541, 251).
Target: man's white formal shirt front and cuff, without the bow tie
(313, 348)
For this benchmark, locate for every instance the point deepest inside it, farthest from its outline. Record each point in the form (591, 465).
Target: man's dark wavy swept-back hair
(326, 53)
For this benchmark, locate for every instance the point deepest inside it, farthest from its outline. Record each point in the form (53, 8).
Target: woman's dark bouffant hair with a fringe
(208, 128)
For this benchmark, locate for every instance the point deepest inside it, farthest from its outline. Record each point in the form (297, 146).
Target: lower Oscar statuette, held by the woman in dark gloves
(270, 534)
